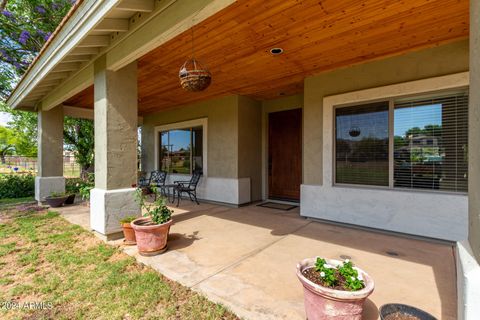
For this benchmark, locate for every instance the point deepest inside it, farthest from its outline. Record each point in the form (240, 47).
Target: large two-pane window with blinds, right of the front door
(414, 143)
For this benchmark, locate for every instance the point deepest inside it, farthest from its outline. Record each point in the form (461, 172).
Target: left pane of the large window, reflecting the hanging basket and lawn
(362, 145)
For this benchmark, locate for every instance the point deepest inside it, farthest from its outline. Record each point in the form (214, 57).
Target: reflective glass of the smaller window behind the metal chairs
(181, 150)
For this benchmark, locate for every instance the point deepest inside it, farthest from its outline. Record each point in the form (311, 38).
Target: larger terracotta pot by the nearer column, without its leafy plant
(151, 238)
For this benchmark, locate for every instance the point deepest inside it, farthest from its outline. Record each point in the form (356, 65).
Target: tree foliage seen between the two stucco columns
(79, 138)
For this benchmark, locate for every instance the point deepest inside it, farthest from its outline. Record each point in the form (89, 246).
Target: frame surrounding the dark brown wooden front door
(296, 103)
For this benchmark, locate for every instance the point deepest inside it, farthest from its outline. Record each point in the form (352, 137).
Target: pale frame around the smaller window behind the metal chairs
(203, 122)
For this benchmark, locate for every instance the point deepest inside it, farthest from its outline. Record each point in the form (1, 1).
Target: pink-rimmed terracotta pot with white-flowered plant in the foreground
(333, 289)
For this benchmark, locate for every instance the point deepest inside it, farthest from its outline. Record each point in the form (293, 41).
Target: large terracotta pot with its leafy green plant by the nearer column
(151, 230)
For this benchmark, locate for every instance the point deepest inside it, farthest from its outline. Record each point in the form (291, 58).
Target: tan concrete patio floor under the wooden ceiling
(245, 259)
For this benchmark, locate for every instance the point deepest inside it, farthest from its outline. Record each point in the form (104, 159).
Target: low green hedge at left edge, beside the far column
(17, 186)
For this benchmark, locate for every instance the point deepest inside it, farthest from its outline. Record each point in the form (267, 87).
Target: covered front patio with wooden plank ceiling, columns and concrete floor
(117, 62)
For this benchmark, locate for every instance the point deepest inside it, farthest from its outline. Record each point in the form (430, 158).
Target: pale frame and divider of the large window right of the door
(458, 81)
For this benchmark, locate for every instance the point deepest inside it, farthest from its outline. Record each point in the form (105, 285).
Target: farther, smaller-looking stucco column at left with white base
(50, 154)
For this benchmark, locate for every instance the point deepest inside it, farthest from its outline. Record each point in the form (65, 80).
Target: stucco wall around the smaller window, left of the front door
(233, 146)
